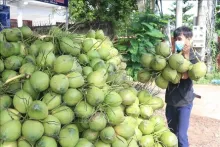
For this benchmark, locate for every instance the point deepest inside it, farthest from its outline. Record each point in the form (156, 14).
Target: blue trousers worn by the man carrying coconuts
(178, 122)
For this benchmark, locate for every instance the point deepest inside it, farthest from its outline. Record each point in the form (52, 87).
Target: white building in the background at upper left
(34, 13)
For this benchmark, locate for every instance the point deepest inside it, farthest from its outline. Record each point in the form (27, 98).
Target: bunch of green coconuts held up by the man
(164, 67)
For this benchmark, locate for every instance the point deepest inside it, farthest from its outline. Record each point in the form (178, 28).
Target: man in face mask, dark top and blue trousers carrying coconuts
(179, 97)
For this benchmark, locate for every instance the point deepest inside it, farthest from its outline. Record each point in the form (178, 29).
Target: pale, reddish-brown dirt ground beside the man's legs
(204, 128)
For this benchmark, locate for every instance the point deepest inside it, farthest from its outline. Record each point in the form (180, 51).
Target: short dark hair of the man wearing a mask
(187, 32)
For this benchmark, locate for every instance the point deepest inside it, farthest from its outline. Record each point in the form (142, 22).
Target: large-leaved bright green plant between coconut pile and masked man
(143, 33)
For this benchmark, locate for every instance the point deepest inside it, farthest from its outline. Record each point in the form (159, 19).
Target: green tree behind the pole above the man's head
(187, 18)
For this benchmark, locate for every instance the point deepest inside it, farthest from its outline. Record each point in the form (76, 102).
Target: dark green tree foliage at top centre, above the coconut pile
(101, 10)
